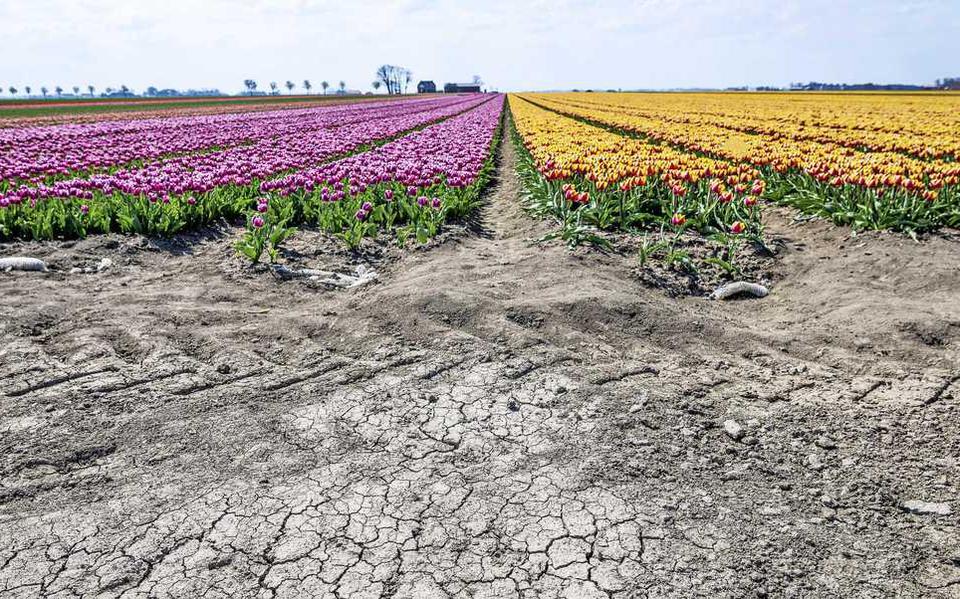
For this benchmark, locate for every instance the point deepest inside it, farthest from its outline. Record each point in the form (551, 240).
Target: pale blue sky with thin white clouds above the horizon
(512, 44)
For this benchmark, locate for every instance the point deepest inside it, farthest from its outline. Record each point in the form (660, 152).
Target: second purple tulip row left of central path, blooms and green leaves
(166, 196)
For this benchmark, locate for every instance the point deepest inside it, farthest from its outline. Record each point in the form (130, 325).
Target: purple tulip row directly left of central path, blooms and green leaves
(407, 188)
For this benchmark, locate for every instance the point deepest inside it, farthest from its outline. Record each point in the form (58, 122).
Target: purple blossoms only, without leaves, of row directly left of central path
(452, 152)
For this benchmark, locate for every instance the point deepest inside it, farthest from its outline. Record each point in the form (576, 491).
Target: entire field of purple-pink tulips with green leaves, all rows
(352, 169)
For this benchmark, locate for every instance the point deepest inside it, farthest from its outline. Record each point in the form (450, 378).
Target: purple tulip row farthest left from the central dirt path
(63, 149)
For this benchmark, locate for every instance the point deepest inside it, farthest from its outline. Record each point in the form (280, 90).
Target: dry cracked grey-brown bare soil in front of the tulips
(493, 418)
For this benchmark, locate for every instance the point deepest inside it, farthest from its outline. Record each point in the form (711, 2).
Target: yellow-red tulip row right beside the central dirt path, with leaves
(657, 192)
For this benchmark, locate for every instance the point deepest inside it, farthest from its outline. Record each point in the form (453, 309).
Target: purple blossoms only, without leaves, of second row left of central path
(241, 165)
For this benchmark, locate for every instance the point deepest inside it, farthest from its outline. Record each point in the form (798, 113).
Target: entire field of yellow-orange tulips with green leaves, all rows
(711, 161)
